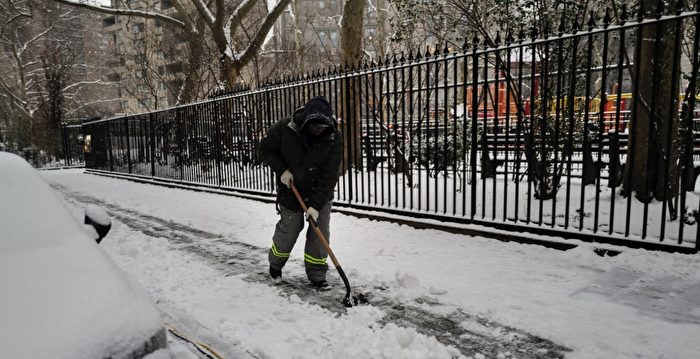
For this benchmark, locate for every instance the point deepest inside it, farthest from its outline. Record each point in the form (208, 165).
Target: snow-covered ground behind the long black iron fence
(502, 199)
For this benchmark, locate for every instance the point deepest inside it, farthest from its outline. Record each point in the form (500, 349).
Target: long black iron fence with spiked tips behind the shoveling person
(520, 133)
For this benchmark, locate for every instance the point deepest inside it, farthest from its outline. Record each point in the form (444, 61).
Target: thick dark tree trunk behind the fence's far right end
(654, 115)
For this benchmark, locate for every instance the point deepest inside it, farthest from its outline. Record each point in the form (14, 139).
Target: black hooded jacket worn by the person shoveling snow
(314, 161)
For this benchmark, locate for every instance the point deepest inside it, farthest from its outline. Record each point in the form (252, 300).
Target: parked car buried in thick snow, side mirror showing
(61, 296)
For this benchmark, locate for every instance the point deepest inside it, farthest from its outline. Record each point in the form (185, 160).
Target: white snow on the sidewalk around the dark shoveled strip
(639, 304)
